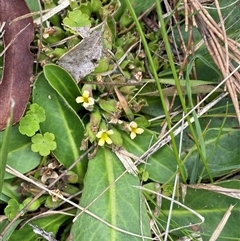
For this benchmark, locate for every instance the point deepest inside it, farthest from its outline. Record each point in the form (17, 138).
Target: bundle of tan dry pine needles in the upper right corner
(224, 50)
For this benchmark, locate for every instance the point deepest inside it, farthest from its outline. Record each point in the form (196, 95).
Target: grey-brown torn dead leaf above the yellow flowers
(83, 58)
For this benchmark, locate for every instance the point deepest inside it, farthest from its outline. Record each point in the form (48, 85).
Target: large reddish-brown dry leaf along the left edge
(18, 60)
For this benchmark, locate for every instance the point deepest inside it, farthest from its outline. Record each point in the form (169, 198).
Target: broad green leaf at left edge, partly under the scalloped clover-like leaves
(20, 156)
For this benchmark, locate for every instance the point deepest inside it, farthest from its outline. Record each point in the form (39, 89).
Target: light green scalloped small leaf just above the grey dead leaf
(77, 19)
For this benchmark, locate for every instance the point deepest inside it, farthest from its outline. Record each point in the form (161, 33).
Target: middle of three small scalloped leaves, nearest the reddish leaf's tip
(28, 125)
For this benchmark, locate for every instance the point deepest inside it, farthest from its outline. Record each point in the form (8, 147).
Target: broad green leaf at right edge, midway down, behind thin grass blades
(223, 153)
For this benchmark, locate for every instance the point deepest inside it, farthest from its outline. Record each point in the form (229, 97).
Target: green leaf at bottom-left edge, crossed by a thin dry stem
(49, 223)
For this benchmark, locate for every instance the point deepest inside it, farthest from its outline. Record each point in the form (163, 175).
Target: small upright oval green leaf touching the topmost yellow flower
(63, 83)
